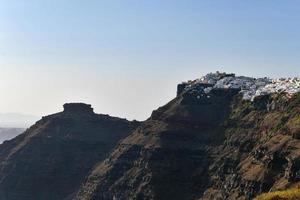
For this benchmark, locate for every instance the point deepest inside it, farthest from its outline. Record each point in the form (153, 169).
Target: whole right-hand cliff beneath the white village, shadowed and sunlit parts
(205, 146)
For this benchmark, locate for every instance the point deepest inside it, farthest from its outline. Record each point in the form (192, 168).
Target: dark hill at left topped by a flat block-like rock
(52, 158)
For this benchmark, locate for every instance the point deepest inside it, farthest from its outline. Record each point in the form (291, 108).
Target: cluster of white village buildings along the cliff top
(249, 87)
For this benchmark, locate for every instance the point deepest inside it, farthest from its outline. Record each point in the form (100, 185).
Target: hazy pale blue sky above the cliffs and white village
(125, 57)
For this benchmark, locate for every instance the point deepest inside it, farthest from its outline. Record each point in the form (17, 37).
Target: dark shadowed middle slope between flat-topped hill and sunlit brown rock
(168, 157)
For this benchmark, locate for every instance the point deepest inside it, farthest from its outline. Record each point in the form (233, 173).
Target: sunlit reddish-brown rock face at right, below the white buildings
(260, 151)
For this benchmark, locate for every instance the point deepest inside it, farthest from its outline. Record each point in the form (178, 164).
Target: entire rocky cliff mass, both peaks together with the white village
(208, 143)
